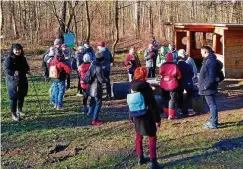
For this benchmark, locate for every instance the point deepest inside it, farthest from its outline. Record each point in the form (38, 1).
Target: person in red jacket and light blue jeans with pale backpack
(59, 82)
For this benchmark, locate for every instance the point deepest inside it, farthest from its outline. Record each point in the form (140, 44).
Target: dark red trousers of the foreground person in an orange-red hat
(152, 145)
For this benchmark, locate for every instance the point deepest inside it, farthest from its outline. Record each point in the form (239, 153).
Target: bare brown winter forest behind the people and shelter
(36, 23)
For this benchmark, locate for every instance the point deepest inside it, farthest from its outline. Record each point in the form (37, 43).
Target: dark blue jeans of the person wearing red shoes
(95, 106)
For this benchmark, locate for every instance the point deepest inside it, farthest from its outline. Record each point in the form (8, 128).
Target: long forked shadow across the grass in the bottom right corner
(223, 145)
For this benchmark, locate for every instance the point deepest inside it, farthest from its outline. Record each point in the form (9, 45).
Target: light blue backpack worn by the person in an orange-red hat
(136, 104)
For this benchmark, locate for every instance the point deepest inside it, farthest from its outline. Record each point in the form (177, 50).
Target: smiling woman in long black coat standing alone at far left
(16, 68)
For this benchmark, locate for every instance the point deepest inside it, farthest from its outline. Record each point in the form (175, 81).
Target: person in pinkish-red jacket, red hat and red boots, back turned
(170, 74)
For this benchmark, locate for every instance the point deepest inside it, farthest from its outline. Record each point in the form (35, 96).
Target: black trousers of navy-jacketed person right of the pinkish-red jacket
(187, 104)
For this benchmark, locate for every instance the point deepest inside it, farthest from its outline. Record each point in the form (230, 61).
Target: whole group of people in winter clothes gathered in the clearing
(178, 73)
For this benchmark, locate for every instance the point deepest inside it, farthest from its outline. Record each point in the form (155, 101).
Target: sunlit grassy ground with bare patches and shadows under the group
(65, 139)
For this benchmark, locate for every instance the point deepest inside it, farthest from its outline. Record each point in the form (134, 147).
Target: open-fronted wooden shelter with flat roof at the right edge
(225, 39)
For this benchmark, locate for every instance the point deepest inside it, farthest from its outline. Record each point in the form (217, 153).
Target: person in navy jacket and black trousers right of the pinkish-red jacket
(185, 83)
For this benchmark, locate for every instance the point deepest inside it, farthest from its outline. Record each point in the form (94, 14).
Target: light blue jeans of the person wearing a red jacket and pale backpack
(58, 93)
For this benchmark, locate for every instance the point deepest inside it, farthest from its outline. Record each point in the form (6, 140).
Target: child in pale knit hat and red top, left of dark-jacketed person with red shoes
(83, 69)
